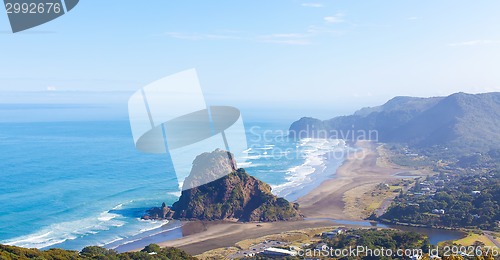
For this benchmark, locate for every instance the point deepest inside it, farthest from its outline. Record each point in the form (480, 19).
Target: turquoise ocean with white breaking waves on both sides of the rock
(74, 184)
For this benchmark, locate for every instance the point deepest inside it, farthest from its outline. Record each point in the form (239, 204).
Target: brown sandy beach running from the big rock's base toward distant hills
(360, 171)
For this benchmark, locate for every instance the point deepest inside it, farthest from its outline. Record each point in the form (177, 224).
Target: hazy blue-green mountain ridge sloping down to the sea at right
(462, 122)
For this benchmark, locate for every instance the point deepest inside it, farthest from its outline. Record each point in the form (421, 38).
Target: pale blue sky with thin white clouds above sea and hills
(280, 58)
